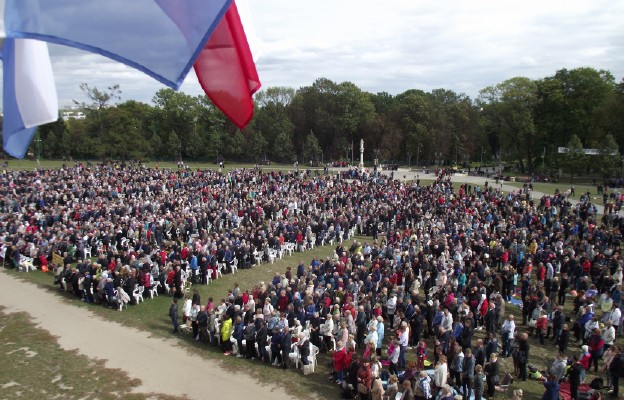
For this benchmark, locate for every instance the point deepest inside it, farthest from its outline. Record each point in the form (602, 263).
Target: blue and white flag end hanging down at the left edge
(29, 93)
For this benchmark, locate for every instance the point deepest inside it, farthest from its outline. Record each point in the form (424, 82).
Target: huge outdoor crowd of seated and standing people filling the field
(423, 306)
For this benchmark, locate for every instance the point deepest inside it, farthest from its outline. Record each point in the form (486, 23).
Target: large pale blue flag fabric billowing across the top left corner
(161, 38)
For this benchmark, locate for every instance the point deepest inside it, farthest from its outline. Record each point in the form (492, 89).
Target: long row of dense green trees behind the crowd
(520, 121)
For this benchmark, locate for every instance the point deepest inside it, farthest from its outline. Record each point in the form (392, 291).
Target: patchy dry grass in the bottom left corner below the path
(34, 366)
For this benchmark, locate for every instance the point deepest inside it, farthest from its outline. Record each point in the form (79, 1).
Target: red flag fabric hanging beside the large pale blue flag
(226, 70)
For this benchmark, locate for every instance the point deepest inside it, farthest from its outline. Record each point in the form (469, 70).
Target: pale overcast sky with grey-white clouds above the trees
(394, 46)
